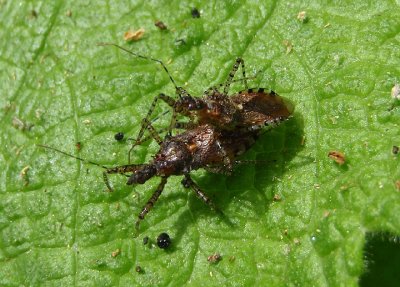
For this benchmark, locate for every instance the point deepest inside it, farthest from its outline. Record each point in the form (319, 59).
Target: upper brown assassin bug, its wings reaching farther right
(250, 109)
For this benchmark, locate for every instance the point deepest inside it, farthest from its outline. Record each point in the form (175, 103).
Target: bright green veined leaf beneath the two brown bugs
(59, 226)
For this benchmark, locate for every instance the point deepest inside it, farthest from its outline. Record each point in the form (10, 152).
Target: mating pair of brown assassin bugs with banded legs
(219, 128)
